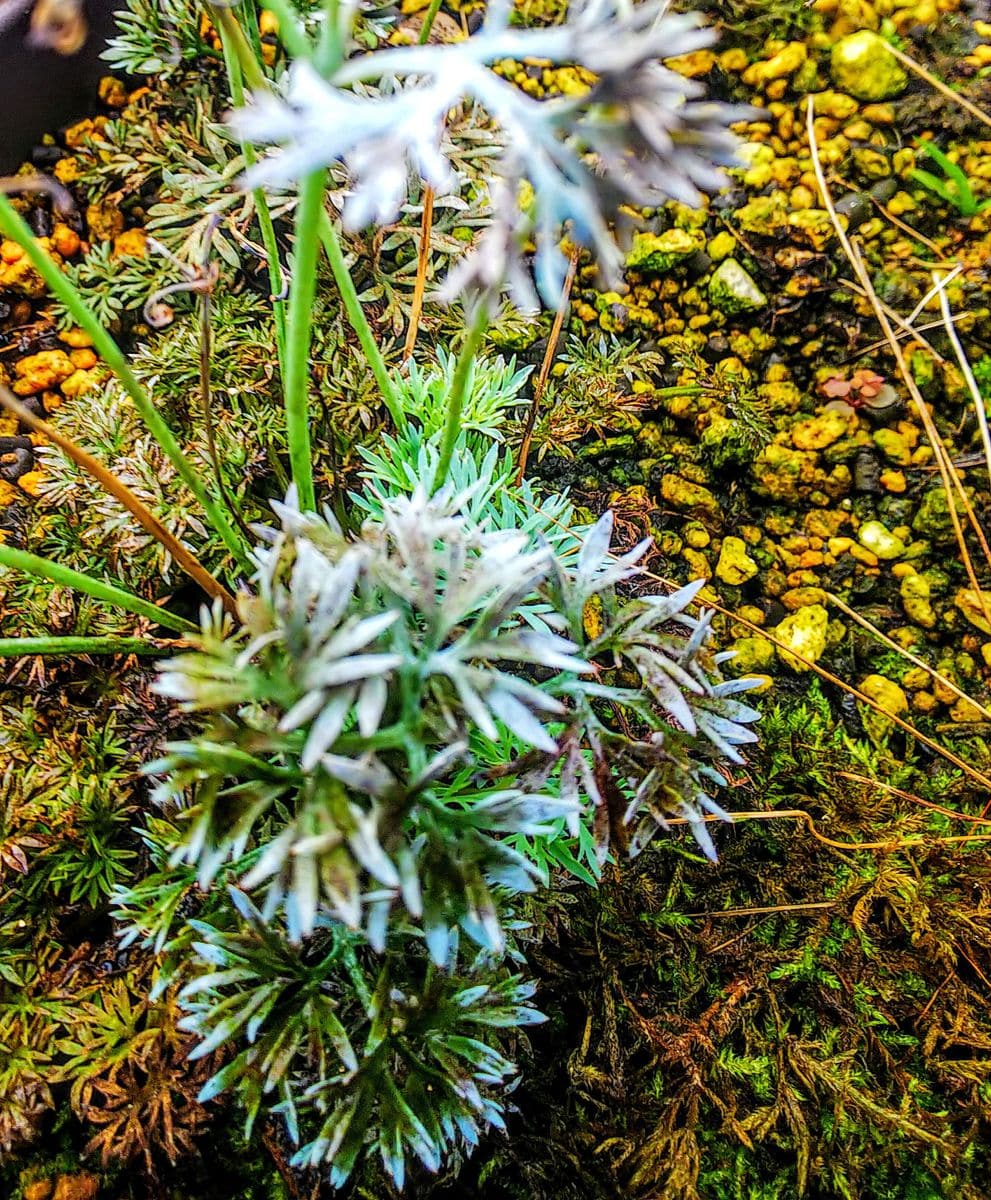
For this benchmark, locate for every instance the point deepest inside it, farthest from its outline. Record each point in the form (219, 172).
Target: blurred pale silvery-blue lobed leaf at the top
(642, 134)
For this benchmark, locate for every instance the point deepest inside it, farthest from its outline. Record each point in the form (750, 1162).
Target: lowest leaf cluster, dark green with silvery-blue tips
(393, 1059)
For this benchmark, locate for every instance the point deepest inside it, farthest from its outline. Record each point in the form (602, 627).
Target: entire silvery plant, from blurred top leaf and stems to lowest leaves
(412, 722)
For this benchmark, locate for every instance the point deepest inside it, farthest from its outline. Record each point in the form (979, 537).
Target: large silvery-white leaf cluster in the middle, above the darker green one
(339, 753)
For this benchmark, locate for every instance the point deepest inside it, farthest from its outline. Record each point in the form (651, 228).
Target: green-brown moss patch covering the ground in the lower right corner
(797, 1022)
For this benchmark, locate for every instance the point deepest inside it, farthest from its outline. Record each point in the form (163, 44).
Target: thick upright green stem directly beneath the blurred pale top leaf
(299, 333)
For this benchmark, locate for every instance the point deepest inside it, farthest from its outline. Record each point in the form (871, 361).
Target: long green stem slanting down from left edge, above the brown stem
(14, 226)
